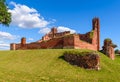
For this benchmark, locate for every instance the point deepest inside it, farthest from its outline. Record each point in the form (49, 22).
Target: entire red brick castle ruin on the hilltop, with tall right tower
(63, 40)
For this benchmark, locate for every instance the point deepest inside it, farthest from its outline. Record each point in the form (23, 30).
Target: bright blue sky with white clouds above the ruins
(33, 18)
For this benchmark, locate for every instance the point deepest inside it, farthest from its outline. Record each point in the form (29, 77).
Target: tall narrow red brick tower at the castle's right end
(96, 29)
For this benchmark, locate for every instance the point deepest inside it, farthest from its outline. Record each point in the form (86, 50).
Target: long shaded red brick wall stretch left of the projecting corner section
(53, 43)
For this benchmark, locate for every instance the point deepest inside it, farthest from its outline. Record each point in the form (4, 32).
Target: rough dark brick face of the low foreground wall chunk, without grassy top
(88, 61)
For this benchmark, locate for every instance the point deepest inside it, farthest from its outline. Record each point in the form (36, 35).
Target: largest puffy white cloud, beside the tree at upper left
(26, 17)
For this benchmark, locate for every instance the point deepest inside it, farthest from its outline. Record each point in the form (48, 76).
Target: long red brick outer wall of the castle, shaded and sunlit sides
(70, 41)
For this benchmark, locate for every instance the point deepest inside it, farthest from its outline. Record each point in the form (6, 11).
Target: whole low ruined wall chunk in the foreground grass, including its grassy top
(87, 60)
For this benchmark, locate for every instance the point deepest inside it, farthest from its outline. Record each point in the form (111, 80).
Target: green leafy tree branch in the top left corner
(5, 16)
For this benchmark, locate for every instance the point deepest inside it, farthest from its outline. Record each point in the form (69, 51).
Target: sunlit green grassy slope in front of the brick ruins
(46, 66)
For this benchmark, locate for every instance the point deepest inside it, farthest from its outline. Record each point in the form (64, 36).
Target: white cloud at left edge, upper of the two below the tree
(6, 35)
